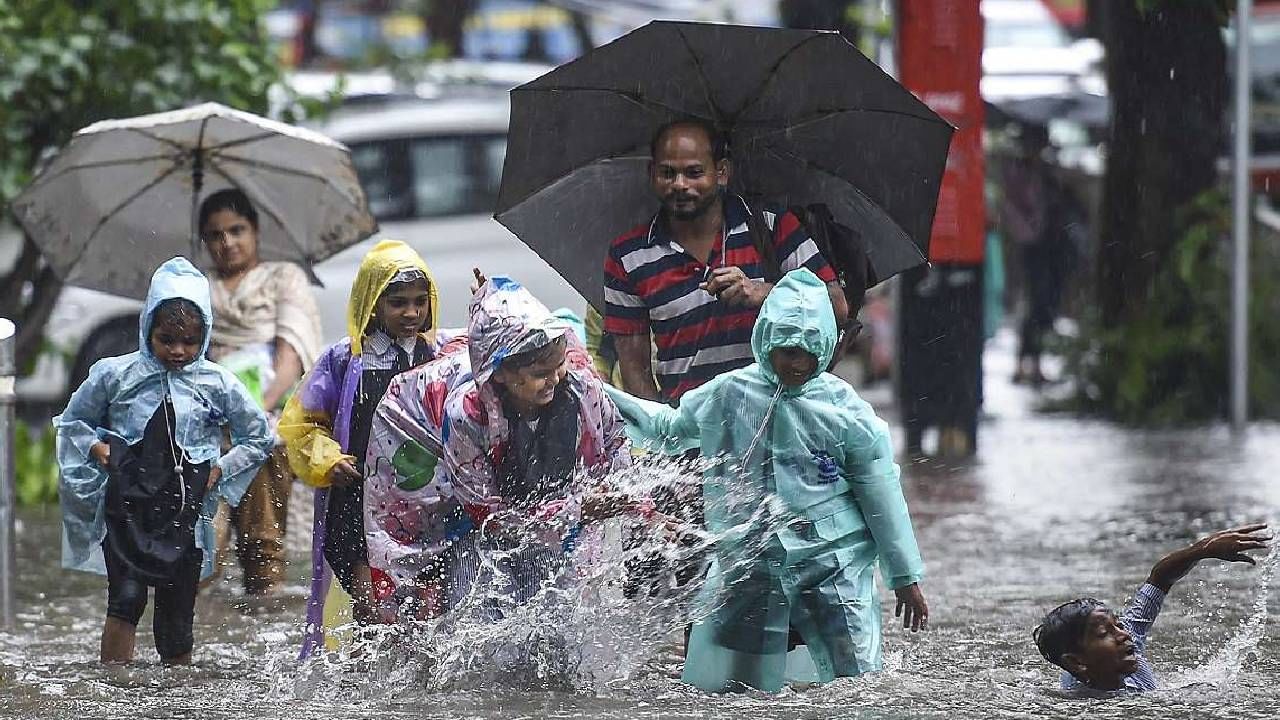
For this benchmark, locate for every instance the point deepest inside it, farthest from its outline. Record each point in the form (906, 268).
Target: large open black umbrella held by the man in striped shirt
(810, 120)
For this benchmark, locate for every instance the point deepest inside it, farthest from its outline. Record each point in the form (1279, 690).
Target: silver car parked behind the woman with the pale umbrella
(432, 171)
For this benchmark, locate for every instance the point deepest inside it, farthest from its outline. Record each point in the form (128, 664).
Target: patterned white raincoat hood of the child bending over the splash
(506, 320)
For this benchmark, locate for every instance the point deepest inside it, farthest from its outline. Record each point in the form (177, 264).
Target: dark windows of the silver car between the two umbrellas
(431, 177)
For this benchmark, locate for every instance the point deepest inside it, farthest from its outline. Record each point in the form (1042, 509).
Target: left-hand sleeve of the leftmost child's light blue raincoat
(84, 481)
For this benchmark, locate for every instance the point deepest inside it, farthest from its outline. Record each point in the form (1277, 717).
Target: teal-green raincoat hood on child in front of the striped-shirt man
(797, 313)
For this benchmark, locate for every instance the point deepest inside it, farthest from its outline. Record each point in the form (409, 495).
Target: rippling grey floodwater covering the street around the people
(1053, 509)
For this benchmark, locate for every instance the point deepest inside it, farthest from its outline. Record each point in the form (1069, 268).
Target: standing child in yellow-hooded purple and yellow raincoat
(391, 325)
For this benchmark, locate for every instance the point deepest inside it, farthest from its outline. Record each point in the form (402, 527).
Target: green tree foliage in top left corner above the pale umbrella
(66, 65)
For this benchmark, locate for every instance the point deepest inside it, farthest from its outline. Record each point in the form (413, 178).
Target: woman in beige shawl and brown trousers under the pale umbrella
(267, 330)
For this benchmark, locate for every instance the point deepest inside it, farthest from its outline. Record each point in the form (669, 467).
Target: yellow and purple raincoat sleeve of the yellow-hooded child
(308, 432)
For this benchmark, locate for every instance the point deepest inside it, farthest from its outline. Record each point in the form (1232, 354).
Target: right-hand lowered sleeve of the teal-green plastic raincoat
(875, 482)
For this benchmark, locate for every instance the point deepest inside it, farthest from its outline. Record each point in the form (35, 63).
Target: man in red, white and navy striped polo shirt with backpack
(693, 277)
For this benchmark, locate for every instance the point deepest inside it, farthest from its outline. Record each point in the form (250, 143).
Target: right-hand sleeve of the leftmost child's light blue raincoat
(252, 441)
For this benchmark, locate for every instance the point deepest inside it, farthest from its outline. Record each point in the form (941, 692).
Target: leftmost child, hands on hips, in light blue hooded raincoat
(143, 468)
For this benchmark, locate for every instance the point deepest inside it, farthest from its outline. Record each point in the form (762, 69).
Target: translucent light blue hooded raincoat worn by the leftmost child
(120, 398)
